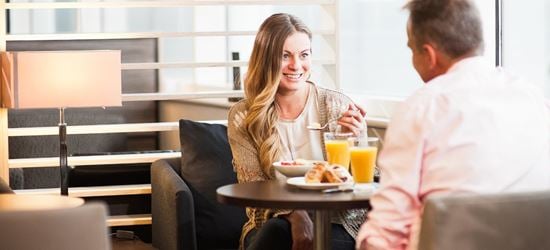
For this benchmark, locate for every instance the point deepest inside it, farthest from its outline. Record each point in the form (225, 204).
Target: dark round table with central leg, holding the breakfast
(277, 194)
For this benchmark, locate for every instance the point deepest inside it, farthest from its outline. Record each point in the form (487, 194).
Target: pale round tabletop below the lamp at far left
(14, 202)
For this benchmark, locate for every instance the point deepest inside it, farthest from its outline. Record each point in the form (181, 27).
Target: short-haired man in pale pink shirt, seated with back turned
(471, 129)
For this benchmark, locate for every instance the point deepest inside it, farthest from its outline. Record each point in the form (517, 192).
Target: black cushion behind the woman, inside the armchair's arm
(206, 165)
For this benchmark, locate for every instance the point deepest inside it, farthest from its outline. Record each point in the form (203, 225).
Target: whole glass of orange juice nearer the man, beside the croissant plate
(363, 159)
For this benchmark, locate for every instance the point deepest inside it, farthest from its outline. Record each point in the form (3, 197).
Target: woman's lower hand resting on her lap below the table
(302, 230)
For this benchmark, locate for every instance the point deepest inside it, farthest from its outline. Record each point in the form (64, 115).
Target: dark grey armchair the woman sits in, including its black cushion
(185, 212)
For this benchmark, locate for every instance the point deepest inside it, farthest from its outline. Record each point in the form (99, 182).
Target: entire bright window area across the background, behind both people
(372, 61)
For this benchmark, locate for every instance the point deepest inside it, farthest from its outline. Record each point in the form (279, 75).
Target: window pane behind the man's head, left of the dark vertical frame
(375, 60)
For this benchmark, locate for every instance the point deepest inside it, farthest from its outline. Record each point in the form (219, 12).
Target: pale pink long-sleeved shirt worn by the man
(472, 130)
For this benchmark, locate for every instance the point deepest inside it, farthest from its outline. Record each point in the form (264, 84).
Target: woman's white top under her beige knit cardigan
(298, 141)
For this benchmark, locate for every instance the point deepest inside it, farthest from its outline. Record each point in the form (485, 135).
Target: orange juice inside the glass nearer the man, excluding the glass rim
(363, 160)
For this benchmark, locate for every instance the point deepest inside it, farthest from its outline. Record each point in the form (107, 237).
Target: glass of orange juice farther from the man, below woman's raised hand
(337, 146)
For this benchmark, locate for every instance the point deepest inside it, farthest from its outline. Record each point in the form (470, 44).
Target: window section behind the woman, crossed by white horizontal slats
(197, 41)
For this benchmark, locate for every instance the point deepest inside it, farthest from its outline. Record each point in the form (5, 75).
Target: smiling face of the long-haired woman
(296, 61)
